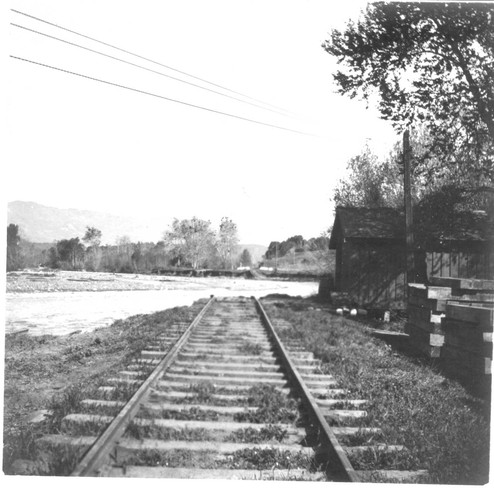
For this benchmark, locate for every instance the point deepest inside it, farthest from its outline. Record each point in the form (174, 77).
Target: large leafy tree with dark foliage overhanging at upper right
(429, 64)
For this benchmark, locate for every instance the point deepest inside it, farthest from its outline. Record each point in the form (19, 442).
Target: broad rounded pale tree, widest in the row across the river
(190, 240)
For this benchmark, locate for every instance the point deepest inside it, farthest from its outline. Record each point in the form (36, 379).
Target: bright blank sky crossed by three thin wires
(77, 142)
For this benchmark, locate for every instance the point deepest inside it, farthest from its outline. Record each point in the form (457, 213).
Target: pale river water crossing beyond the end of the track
(60, 313)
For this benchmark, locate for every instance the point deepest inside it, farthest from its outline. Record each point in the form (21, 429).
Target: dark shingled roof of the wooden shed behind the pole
(389, 223)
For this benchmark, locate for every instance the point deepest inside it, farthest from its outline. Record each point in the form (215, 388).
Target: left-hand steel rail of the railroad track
(98, 452)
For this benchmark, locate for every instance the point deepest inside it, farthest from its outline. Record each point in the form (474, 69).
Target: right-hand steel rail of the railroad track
(341, 466)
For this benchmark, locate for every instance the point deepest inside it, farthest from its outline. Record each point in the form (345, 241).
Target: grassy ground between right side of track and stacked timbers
(445, 428)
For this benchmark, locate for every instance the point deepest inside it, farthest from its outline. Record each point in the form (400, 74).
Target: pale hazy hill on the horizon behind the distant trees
(42, 224)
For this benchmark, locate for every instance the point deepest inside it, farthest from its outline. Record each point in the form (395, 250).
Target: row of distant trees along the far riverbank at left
(188, 243)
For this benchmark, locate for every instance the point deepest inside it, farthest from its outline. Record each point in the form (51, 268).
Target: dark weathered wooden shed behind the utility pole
(371, 253)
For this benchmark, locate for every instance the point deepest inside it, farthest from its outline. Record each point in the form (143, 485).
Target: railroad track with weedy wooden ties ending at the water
(224, 399)
